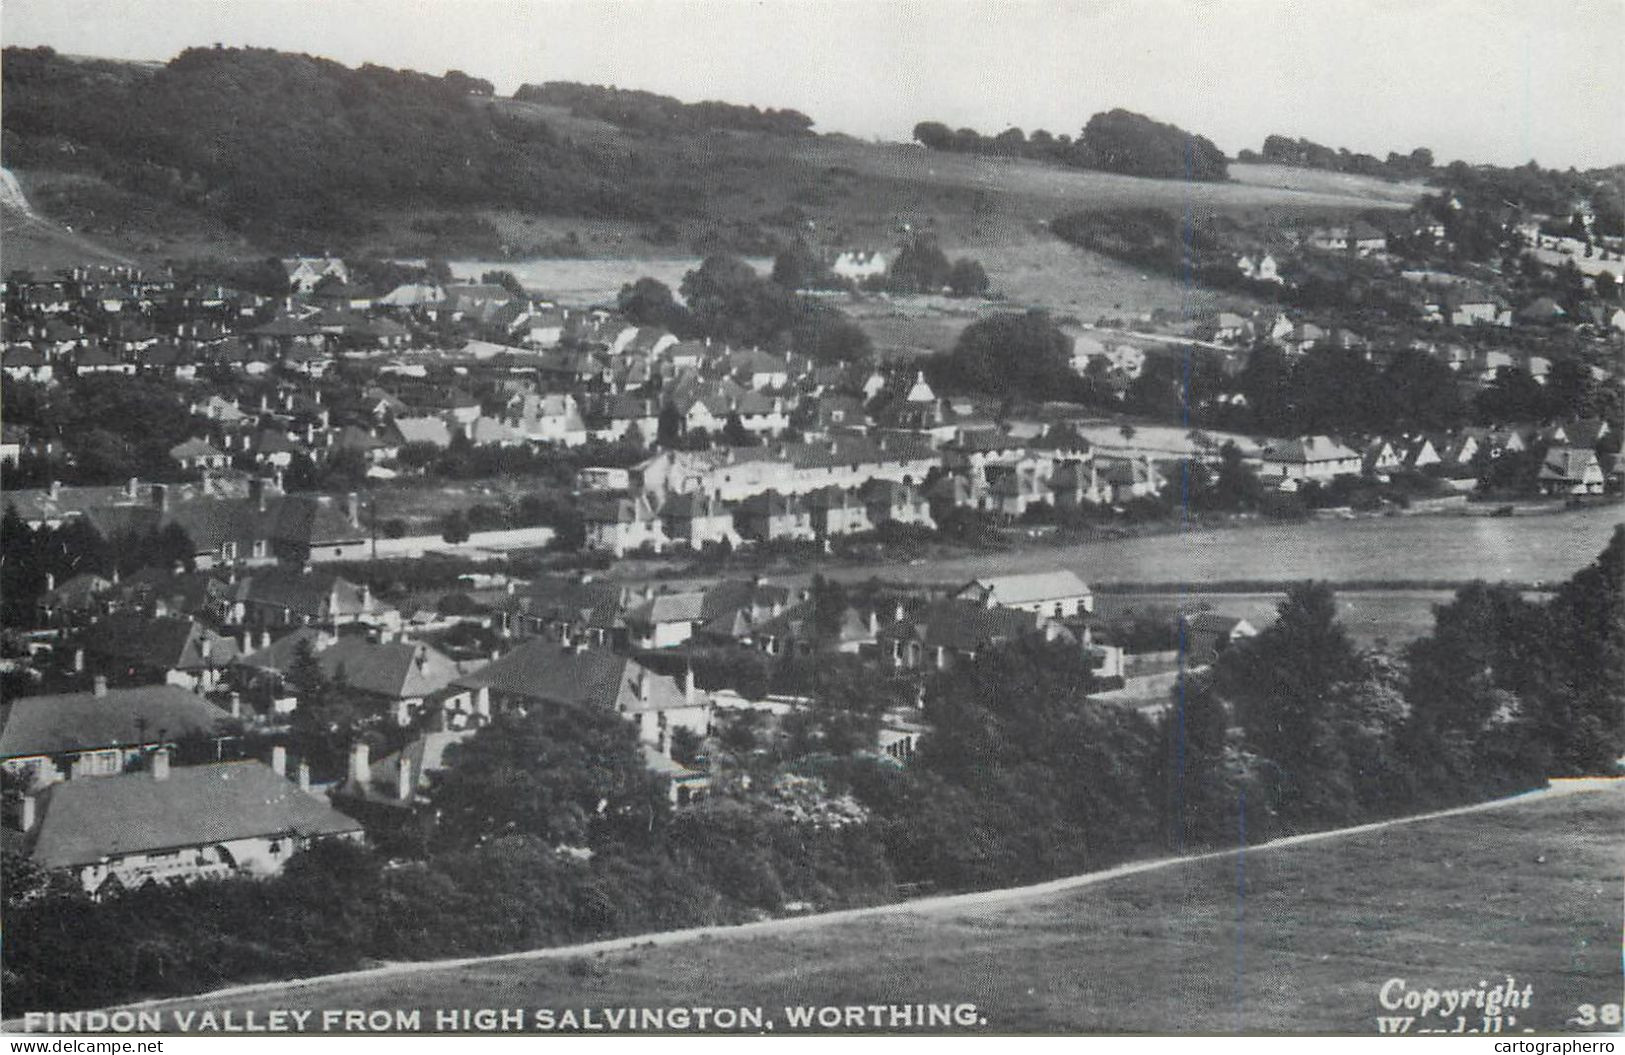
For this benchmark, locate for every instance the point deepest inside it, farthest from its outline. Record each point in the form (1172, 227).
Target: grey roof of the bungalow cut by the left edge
(84, 721)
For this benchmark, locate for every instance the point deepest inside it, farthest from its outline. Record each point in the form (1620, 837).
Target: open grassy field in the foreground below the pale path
(1291, 939)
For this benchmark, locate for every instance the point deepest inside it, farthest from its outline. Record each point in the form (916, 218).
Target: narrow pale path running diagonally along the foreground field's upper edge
(924, 906)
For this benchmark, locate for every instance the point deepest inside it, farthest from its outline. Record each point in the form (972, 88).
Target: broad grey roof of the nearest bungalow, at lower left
(84, 822)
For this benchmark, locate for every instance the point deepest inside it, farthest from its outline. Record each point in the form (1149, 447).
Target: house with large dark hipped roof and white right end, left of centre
(542, 675)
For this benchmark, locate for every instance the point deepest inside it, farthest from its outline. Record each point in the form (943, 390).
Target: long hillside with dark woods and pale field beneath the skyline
(249, 152)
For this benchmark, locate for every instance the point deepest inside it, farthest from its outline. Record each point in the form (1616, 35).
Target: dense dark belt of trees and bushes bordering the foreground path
(1020, 779)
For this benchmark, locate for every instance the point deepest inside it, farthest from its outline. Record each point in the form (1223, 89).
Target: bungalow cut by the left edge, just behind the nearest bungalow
(102, 732)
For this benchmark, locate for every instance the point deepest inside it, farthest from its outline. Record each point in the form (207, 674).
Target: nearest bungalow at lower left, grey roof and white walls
(178, 825)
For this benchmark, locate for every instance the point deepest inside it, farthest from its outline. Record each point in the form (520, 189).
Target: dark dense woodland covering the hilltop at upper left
(293, 147)
